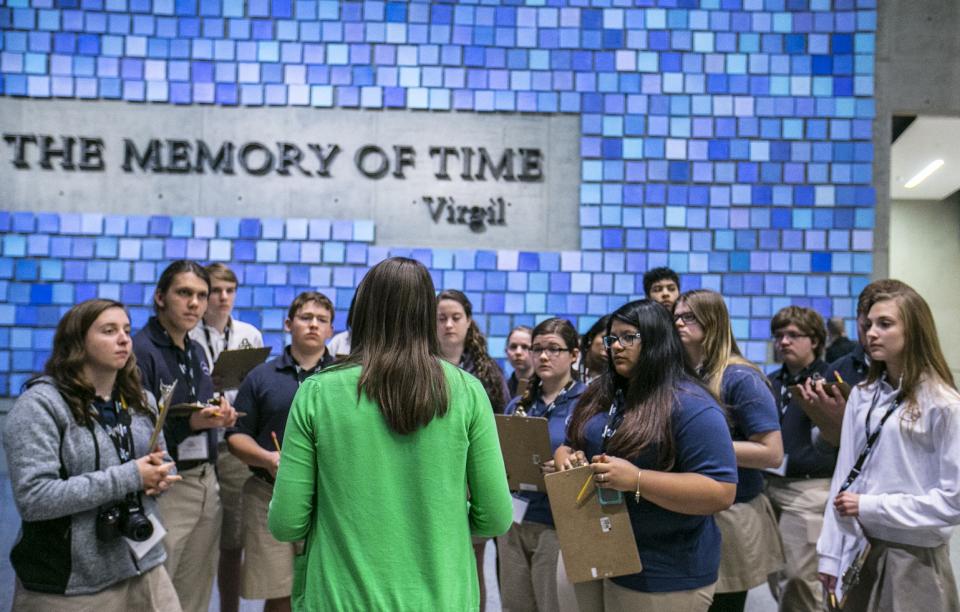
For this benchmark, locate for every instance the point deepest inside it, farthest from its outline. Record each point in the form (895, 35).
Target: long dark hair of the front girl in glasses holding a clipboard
(649, 391)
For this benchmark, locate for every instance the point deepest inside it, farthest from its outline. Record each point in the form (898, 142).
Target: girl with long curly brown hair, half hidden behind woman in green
(463, 345)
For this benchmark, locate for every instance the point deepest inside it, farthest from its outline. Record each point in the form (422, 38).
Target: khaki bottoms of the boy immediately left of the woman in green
(267, 564)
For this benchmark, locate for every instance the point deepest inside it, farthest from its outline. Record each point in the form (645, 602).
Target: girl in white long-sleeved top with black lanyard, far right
(895, 492)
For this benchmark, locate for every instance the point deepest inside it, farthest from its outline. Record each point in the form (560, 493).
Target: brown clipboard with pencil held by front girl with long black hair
(597, 540)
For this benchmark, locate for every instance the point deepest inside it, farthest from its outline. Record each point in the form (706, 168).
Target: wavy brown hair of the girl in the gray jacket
(65, 365)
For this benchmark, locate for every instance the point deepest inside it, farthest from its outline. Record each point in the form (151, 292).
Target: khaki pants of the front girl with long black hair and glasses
(605, 596)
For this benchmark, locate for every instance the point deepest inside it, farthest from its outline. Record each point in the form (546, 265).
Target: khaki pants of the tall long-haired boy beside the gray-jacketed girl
(191, 513)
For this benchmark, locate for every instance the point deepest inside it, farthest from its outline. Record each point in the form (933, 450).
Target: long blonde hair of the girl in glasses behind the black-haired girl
(720, 348)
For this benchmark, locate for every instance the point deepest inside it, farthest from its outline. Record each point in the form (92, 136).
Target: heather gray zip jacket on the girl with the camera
(59, 494)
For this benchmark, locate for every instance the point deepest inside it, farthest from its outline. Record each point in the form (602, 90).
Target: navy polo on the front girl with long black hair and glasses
(679, 552)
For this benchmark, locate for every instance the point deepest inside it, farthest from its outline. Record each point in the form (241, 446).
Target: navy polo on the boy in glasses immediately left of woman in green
(266, 395)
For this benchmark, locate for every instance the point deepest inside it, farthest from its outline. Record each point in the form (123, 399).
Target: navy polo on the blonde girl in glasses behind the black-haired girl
(748, 397)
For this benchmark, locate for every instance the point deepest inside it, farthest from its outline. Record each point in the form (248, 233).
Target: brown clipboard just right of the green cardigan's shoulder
(525, 444)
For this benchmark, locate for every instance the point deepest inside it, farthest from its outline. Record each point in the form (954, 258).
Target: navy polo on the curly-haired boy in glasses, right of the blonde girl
(804, 458)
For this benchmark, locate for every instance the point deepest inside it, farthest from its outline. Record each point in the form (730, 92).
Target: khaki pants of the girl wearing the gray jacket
(151, 591)
